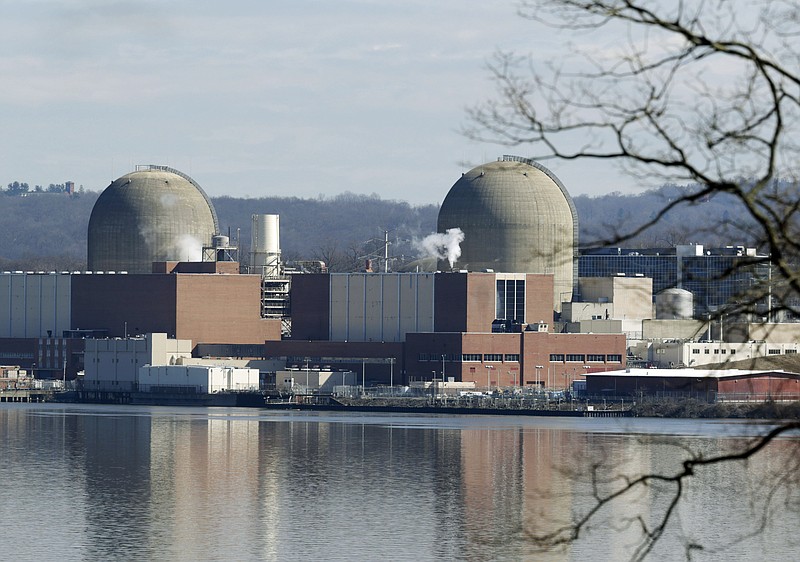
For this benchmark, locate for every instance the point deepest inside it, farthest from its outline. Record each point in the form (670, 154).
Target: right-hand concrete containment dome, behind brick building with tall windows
(517, 217)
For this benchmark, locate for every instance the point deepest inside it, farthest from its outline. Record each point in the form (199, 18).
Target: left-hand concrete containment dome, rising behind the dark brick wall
(153, 214)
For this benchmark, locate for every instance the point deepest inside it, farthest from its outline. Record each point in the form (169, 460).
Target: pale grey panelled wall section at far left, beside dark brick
(31, 304)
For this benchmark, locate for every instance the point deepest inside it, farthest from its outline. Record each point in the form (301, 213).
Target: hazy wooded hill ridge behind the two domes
(47, 231)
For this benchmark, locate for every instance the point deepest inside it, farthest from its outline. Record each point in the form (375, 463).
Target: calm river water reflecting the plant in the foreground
(114, 482)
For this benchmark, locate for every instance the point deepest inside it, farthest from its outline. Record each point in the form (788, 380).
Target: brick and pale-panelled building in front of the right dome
(492, 329)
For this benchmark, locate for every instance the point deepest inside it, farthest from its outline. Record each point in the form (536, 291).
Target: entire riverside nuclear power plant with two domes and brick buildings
(504, 306)
